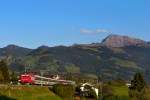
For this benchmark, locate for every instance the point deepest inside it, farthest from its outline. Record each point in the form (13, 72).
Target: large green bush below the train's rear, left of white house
(64, 91)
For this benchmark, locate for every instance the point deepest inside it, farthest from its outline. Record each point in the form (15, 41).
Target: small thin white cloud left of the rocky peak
(96, 31)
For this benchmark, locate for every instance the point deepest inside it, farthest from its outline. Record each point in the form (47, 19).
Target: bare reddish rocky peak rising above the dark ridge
(121, 41)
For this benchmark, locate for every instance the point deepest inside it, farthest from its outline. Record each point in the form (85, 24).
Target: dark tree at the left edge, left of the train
(4, 71)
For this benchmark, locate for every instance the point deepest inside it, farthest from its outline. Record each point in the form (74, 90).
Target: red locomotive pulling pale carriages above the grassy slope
(33, 79)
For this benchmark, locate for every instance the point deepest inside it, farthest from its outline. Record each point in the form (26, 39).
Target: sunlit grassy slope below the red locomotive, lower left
(26, 93)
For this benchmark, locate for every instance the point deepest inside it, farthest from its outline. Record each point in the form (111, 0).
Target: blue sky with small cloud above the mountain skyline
(32, 23)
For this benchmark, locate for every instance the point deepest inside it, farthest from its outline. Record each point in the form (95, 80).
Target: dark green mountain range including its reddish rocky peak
(116, 57)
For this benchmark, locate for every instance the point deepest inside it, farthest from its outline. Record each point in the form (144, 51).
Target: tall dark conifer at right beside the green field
(137, 88)
